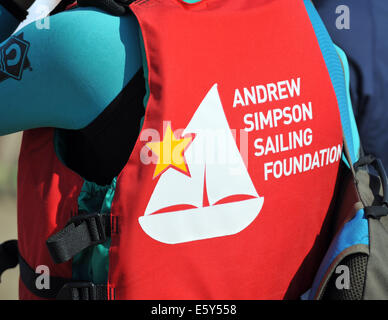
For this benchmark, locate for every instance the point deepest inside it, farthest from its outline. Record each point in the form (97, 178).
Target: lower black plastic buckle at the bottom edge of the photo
(78, 291)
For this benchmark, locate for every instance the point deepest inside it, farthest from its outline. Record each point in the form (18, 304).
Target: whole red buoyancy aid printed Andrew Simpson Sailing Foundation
(228, 186)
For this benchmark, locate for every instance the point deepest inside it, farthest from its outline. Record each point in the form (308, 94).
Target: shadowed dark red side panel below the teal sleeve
(47, 196)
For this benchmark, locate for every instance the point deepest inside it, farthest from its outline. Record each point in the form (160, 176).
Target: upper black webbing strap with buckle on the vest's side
(81, 232)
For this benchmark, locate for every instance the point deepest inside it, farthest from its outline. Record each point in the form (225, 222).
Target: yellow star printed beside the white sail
(170, 152)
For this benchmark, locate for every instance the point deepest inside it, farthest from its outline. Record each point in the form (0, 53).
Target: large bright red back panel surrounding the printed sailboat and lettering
(236, 44)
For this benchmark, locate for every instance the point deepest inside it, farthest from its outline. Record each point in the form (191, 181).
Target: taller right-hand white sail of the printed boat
(226, 174)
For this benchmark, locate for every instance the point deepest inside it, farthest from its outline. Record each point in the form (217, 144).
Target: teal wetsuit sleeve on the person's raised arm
(71, 72)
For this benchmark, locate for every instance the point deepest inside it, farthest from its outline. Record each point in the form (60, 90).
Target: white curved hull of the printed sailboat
(201, 223)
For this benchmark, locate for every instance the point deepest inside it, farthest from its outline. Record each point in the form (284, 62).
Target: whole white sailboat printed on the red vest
(217, 180)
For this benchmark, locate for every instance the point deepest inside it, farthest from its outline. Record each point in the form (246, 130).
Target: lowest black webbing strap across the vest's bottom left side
(61, 288)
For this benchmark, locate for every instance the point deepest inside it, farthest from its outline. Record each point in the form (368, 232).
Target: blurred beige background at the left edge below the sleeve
(9, 152)
